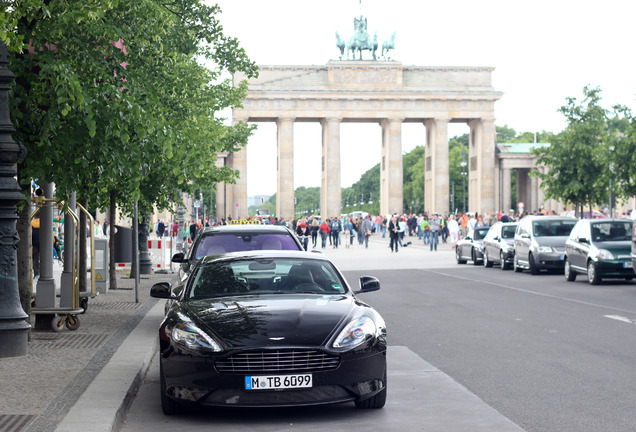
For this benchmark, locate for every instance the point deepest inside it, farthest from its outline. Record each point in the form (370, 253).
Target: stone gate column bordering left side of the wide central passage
(330, 193)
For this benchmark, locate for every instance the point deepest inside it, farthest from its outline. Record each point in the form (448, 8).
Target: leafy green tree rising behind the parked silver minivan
(577, 160)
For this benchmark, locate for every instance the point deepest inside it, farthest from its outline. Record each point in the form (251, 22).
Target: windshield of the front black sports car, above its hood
(265, 276)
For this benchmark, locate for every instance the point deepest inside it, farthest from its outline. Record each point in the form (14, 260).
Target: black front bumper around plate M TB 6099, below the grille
(193, 379)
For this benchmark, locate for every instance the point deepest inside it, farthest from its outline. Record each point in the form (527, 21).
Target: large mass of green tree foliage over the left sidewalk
(114, 96)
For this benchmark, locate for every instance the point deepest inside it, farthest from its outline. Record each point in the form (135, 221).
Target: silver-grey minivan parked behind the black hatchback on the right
(540, 242)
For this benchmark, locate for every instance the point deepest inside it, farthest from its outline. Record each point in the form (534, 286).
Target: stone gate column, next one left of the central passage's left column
(285, 165)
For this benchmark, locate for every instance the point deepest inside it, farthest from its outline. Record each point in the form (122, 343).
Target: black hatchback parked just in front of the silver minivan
(601, 249)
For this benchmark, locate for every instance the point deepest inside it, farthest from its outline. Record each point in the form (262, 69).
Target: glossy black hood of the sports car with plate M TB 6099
(272, 320)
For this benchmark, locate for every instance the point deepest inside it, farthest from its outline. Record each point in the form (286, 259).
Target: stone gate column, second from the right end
(436, 178)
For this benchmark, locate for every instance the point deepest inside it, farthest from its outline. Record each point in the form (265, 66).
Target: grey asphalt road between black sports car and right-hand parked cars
(546, 354)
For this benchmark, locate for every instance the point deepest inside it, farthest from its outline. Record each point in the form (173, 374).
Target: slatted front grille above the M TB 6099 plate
(277, 361)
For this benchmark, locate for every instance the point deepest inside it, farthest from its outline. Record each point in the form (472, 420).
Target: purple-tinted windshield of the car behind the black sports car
(236, 242)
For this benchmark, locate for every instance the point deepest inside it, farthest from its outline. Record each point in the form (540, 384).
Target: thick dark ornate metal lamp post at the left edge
(14, 329)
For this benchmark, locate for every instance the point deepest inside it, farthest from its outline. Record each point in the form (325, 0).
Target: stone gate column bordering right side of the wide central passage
(391, 173)
